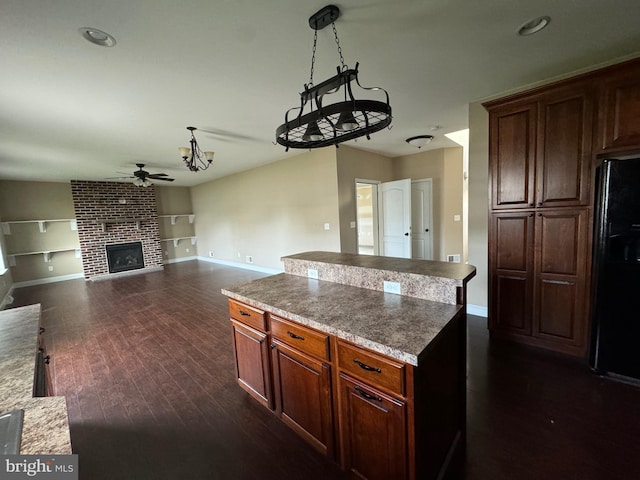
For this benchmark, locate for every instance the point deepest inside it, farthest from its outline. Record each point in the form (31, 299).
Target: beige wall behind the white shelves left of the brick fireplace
(39, 201)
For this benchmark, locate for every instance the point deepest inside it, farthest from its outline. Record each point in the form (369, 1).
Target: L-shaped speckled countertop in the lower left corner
(46, 425)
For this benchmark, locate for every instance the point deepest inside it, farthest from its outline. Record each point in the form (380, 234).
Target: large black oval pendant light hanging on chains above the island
(318, 123)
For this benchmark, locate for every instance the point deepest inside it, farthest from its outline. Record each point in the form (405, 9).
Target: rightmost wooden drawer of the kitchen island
(373, 369)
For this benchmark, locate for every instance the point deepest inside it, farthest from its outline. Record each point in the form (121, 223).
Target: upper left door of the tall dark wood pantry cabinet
(512, 143)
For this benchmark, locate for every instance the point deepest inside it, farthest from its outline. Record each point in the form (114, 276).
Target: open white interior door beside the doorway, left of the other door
(395, 218)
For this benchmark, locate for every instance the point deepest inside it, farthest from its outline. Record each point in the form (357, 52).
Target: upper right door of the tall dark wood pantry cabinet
(563, 157)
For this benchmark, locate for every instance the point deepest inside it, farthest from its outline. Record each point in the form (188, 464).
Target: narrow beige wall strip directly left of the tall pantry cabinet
(478, 203)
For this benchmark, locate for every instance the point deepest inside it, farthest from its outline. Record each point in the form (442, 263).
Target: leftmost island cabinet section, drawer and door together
(251, 352)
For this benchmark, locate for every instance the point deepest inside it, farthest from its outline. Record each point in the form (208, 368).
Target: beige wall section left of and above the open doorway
(356, 164)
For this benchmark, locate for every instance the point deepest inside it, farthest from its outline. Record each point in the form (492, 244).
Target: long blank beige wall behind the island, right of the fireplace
(270, 211)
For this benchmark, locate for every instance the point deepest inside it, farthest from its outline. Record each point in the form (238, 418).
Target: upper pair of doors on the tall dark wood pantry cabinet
(540, 151)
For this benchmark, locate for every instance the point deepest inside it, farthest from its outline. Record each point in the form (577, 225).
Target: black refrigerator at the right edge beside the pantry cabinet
(615, 339)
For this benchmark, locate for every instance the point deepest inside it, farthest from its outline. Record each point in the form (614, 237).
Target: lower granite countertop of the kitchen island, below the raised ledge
(395, 325)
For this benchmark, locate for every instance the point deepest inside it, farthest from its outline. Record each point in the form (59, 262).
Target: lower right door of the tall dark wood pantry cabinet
(561, 293)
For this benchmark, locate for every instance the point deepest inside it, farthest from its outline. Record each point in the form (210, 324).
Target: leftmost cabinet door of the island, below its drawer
(251, 350)
